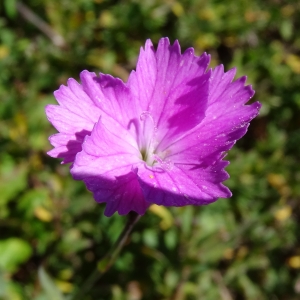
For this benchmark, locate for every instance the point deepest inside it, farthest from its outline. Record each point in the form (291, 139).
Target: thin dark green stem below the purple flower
(108, 260)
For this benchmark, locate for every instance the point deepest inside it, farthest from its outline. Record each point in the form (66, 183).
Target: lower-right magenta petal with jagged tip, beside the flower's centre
(181, 185)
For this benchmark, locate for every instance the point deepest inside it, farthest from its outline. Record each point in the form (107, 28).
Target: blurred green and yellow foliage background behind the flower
(52, 233)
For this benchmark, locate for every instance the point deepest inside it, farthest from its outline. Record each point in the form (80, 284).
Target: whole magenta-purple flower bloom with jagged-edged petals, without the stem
(159, 138)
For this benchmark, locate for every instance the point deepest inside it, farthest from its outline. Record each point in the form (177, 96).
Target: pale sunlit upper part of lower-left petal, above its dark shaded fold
(108, 150)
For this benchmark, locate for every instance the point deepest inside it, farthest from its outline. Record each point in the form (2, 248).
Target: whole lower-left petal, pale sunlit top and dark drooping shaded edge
(106, 165)
